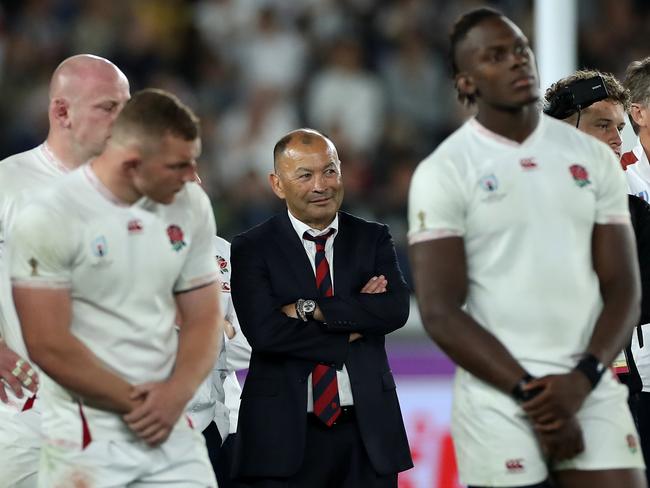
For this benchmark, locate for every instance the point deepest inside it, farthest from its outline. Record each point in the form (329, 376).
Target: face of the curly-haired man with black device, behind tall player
(604, 120)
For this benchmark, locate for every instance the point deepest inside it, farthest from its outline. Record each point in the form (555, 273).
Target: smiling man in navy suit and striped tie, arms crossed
(316, 290)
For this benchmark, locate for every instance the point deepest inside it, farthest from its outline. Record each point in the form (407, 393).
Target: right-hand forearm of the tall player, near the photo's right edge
(617, 319)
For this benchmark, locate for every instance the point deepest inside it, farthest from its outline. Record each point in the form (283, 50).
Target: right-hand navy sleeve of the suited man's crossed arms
(372, 314)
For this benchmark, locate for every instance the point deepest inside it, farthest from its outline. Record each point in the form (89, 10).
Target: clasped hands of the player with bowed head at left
(162, 405)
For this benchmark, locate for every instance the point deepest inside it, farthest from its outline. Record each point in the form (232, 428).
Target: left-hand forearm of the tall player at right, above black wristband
(473, 348)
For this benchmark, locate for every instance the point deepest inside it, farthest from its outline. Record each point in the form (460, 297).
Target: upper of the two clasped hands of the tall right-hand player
(560, 397)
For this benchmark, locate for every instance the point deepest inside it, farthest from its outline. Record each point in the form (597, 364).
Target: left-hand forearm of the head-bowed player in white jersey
(73, 366)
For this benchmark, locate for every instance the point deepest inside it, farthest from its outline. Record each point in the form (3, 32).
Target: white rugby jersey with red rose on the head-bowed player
(122, 265)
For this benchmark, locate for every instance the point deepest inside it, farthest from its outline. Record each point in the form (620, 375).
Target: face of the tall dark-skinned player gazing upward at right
(497, 65)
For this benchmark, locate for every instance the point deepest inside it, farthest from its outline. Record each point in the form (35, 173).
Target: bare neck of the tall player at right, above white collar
(515, 125)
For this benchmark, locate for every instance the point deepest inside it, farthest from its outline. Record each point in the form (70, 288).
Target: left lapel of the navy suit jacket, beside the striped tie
(294, 254)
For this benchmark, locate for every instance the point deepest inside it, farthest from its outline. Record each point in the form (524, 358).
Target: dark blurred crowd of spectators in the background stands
(372, 74)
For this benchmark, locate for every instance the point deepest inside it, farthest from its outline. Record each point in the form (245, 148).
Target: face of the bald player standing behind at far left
(93, 110)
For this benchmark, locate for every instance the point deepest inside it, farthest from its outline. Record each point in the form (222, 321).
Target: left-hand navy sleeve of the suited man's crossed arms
(267, 329)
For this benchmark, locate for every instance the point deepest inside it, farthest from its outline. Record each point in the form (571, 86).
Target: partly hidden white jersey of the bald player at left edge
(22, 176)
